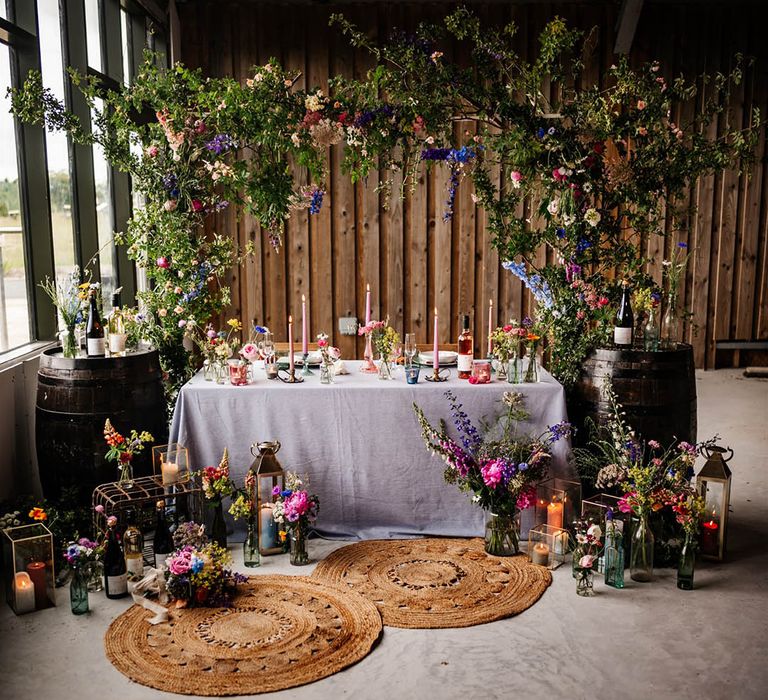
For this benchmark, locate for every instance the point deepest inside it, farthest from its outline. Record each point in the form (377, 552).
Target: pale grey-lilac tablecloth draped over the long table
(359, 442)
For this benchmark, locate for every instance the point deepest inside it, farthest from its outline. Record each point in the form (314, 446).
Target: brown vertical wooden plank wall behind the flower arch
(413, 260)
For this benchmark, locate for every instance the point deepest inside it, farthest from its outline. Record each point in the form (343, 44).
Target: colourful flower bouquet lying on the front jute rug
(201, 576)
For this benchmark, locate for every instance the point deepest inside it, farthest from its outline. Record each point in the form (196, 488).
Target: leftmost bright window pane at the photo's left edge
(14, 300)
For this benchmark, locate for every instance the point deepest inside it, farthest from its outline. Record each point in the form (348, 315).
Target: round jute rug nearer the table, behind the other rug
(430, 583)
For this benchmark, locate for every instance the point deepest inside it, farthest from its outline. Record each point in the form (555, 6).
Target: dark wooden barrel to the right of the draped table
(656, 389)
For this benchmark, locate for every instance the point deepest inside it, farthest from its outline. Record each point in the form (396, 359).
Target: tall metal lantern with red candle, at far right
(713, 483)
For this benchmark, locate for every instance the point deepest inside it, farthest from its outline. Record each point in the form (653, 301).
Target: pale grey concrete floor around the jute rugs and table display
(649, 640)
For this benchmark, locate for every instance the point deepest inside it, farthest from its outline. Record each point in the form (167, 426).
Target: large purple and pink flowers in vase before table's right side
(500, 469)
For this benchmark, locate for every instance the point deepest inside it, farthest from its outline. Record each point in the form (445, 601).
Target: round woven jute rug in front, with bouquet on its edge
(282, 631)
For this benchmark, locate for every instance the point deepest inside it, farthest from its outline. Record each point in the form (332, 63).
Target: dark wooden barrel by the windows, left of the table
(75, 397)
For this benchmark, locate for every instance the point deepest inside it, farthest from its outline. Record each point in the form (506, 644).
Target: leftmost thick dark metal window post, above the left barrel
(33, 185)
